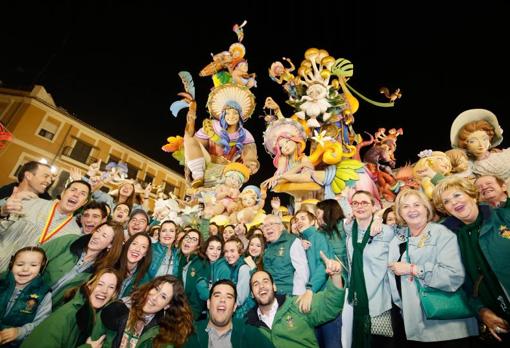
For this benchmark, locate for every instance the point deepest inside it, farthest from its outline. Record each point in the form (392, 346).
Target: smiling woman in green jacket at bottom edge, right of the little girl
(71, 324)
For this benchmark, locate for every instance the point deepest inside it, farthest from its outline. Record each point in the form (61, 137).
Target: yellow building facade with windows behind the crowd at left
(40, 130)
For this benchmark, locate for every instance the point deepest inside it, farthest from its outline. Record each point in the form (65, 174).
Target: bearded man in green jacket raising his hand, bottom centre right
(278, 316)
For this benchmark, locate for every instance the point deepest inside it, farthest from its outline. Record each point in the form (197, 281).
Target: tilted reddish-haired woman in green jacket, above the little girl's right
(72, 258)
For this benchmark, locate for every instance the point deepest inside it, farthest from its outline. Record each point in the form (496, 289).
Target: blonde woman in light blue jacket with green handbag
(428, 253)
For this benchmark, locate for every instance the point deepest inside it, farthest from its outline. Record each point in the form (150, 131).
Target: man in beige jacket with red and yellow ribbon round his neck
(31, 221)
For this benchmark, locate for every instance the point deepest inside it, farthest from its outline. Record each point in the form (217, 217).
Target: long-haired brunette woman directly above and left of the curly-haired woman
(134, 263)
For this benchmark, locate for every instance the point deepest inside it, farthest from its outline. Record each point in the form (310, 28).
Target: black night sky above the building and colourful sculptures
(115, 65)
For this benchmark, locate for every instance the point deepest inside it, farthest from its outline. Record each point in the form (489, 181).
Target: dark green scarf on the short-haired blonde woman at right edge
(489, 289)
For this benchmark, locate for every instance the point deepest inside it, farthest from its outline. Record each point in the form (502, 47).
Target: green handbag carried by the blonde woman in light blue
(442, 305)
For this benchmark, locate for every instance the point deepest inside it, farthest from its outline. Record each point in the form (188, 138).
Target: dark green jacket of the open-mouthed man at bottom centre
(243, 336)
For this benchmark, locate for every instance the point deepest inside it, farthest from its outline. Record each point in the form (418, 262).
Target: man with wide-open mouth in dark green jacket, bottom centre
(221, 331)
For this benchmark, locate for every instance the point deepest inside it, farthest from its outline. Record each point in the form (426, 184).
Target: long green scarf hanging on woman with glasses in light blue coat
(358, 291)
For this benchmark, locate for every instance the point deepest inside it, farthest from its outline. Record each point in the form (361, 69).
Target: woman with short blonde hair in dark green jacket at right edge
(484, 241)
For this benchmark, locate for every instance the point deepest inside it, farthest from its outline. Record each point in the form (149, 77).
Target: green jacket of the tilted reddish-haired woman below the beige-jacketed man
(63, 253)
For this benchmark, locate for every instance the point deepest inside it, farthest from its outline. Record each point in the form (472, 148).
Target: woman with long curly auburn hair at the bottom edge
(158, 316)
